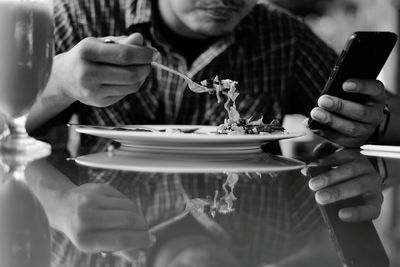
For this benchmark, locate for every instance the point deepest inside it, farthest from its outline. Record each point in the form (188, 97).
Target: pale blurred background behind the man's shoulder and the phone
(335, 20)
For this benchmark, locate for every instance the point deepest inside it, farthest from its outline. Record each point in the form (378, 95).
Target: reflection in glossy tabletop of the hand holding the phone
(350, 174)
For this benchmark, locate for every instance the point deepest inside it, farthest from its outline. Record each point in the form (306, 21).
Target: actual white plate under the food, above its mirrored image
(204, 140)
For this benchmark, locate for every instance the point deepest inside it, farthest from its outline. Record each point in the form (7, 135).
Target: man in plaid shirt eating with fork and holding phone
(281, 67)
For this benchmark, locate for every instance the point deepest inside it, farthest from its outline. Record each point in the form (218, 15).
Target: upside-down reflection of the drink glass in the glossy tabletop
(24, 226)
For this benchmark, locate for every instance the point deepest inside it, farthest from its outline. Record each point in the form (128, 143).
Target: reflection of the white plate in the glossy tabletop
(189, 163)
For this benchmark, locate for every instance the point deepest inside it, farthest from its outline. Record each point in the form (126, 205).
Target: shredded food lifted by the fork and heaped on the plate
(234, 124)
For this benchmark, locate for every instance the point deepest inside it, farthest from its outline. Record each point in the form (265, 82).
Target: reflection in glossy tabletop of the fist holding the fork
(98, 218)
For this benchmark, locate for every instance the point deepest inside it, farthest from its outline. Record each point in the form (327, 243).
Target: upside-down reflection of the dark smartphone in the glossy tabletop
(357, 244)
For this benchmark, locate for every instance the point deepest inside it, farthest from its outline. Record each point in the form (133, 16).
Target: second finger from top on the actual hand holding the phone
(349, 109)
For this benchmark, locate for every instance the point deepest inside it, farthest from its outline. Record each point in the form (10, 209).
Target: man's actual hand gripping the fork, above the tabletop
(100, 74)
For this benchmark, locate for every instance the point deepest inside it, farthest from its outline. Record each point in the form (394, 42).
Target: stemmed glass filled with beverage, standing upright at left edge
(26, 57)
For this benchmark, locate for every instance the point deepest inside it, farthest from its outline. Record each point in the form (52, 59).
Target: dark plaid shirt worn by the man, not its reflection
(280, 65)
